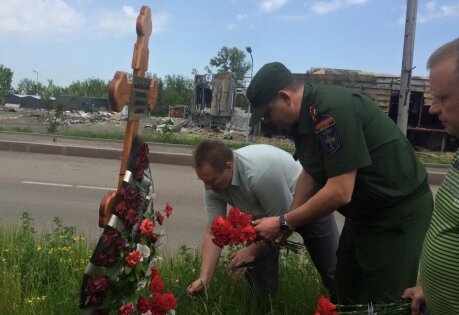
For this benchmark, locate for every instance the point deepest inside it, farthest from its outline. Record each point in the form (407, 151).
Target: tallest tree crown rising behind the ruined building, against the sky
(232, 60)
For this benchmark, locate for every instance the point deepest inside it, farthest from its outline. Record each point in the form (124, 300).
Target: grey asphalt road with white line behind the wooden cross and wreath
(71, 188)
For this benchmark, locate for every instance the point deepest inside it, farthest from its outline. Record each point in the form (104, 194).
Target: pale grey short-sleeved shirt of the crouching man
(263, 183)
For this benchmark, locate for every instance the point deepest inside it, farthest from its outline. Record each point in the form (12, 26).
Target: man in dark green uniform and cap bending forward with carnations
(365, 168)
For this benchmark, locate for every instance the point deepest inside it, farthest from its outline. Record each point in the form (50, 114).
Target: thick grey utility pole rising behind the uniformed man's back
(407, 65)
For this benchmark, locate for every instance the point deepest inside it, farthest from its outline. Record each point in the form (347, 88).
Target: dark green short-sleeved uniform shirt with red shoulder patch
(340, 131)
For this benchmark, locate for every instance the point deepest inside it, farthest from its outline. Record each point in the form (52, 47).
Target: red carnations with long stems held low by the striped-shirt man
(325, 307)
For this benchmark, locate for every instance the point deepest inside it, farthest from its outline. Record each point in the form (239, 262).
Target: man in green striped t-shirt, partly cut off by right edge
(440, 255)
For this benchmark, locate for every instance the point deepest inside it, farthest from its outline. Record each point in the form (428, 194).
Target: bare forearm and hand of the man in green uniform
(336, 193)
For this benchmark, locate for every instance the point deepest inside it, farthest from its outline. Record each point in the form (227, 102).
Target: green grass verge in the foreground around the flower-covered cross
(41, 273)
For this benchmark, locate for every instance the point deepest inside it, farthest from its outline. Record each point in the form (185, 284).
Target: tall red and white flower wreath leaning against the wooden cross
(121, 277)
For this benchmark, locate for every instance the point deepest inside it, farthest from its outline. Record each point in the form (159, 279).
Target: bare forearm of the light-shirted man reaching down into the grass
(210, 254)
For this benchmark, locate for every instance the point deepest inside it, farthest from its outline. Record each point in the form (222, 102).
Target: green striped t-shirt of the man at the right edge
(440, 256)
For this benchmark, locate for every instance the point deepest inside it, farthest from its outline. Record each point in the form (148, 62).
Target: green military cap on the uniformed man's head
(263, 88)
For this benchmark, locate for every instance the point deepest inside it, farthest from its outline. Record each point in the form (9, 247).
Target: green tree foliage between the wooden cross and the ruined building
(173, 90)
